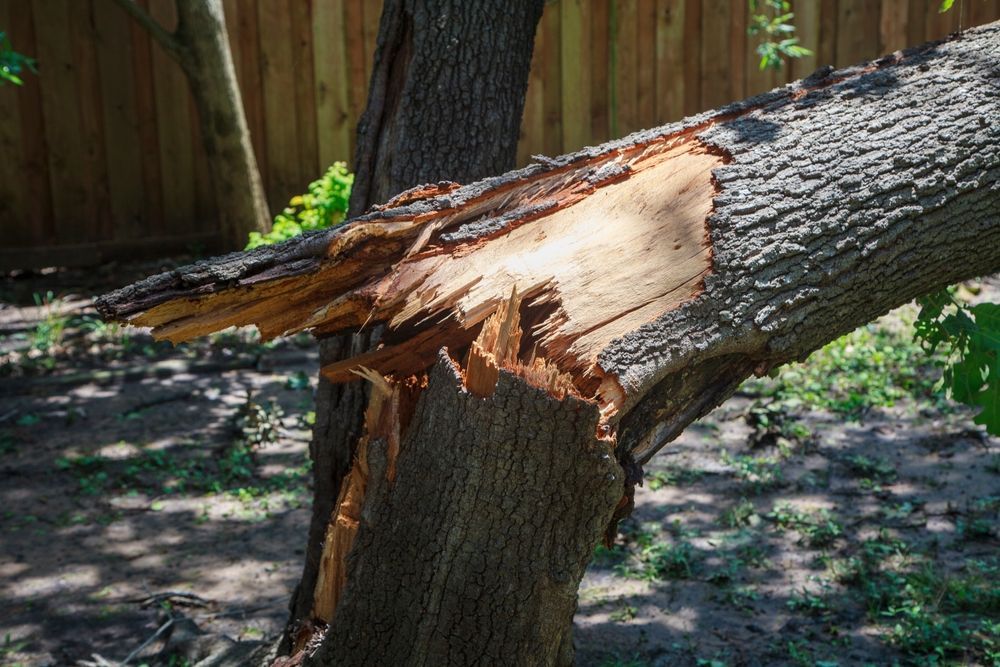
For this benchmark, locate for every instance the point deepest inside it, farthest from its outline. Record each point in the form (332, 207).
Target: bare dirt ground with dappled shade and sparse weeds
(142, 483)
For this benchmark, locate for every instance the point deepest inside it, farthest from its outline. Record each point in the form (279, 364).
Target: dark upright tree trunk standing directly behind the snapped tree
(444, 104)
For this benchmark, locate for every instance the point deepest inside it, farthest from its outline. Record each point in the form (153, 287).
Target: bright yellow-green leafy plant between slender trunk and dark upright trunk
(323, 205)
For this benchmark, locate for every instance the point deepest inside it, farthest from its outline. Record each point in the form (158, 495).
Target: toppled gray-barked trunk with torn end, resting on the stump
(660, 269)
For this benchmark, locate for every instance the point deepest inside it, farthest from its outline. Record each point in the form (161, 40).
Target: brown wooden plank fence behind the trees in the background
(100, 156)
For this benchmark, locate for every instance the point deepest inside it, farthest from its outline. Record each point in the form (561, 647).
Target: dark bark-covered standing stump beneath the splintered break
(455, 563)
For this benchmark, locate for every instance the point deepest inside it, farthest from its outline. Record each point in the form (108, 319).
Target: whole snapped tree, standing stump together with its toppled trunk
(650, 276)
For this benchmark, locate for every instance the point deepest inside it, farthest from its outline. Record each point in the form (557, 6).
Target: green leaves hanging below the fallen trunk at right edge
(970, 336)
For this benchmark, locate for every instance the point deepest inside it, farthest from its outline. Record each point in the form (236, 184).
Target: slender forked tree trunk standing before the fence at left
(200, 45)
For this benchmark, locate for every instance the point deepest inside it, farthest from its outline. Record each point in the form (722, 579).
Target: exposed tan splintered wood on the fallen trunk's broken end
(595, 249)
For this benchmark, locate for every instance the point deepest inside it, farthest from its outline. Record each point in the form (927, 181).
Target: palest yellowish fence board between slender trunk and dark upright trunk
(333, 113)
